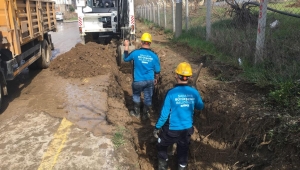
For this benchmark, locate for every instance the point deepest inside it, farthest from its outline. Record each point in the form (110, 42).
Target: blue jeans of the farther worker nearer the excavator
(143, 86)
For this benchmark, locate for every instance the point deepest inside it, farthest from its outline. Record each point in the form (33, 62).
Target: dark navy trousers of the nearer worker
(169, 137)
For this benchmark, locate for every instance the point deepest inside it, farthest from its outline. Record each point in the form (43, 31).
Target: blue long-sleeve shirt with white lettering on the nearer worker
(178, 107)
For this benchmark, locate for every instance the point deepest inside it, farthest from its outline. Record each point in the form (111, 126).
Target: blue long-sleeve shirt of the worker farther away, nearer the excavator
(146, 63)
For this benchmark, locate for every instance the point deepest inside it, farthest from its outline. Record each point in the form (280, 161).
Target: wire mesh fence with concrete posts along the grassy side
(253, 31)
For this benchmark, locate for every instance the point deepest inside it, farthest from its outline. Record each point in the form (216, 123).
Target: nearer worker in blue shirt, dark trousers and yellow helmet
(175, 124)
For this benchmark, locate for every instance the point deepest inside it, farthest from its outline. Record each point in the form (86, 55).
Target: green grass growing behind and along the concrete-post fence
(230, 41)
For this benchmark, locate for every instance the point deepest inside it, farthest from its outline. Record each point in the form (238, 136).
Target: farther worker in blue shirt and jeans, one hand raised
(146, 70)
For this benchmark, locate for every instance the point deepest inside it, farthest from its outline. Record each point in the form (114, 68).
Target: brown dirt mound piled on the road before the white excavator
(87, 60)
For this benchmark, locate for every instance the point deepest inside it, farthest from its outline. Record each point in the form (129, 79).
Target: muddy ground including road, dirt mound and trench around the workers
(75, 115)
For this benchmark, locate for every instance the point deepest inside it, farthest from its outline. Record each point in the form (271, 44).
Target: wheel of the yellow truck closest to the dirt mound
(44, 61)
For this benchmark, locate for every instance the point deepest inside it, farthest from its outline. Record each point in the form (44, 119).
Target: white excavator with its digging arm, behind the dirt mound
(104, 20)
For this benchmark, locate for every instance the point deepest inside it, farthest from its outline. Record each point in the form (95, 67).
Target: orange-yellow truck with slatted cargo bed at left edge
(24, 37)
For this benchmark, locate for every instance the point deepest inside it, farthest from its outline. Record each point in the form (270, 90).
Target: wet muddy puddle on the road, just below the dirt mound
(87, 103)
